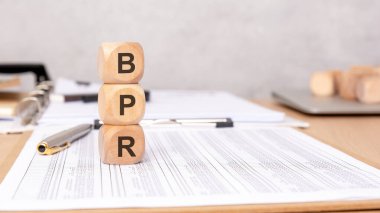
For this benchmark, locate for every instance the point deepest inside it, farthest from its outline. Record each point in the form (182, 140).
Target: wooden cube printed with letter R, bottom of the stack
(121, 144)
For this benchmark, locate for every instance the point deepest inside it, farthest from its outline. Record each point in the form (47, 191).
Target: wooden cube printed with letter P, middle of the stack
(121, 104)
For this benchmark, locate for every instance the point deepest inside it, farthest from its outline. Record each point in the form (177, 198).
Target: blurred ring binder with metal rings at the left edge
(17, 94)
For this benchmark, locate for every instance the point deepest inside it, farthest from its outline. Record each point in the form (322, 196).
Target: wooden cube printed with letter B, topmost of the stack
(120, 63)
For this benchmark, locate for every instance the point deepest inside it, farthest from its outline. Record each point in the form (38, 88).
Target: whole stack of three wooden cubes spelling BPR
(121, 103)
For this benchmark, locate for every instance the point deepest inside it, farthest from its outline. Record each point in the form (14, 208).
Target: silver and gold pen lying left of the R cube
(62, 140)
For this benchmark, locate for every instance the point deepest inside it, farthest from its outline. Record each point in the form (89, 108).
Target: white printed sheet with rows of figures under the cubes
(189, 167)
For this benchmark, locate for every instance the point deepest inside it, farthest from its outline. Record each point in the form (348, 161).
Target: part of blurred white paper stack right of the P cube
(206, 104)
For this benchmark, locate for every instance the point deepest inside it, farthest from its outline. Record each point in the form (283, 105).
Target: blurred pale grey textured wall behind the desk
(244, 46)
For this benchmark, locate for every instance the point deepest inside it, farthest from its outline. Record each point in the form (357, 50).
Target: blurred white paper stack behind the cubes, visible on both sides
(166, 104)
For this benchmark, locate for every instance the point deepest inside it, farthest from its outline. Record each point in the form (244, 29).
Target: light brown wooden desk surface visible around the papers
(358, 136)
